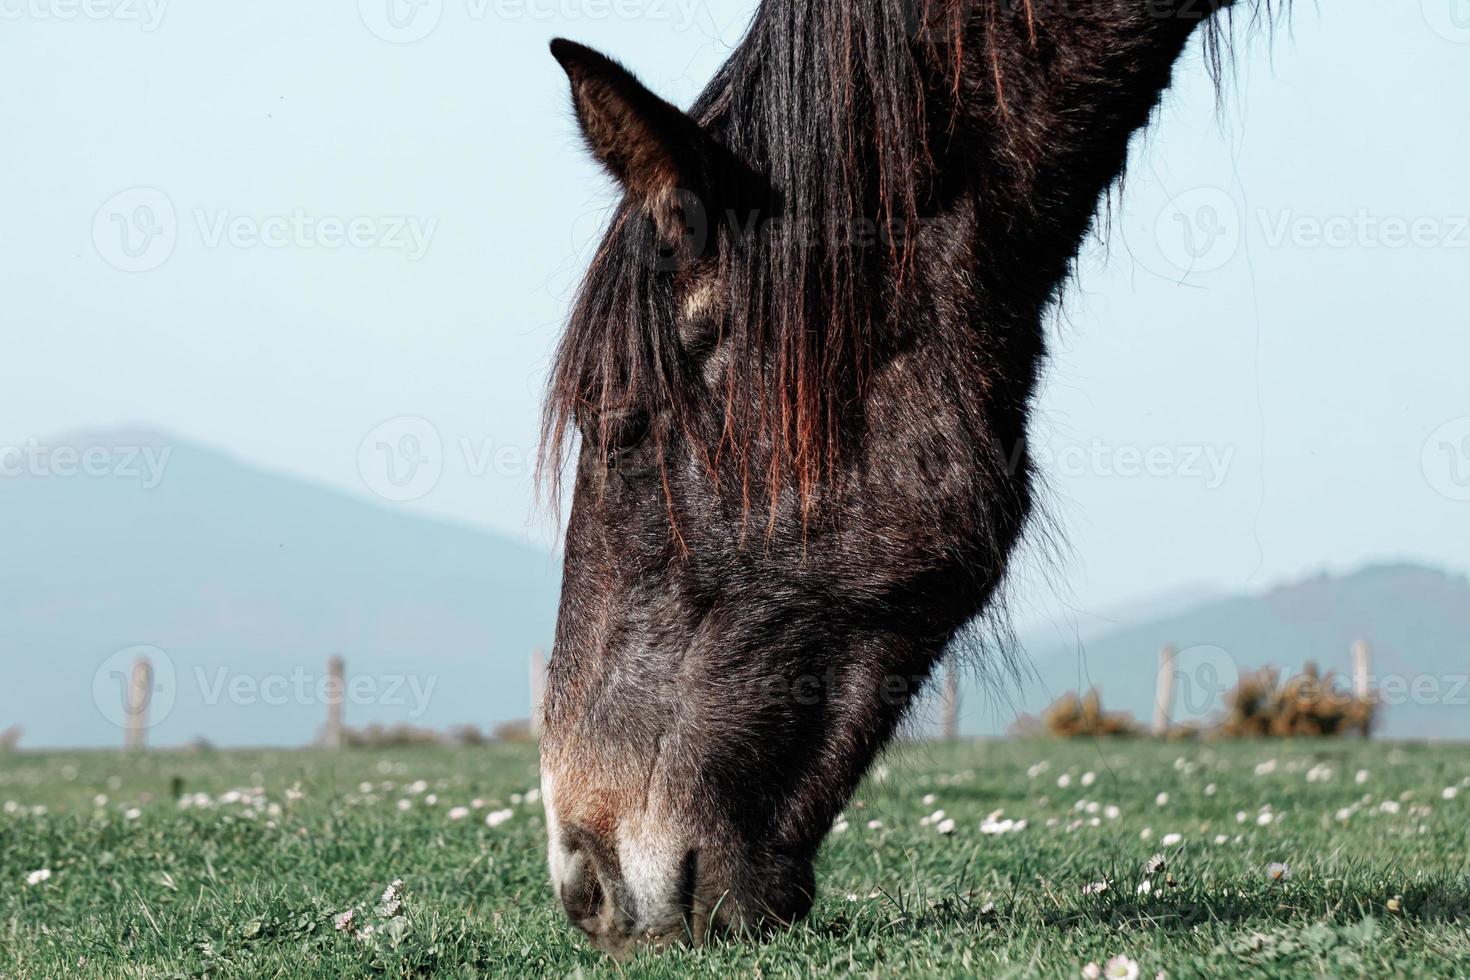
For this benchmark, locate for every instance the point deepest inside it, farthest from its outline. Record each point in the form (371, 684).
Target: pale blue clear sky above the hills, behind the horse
(1288, 394)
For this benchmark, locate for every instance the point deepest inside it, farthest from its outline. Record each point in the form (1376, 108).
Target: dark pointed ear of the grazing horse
(652, 148)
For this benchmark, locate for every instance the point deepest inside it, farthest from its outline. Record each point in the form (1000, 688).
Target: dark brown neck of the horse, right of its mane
(1044, 107)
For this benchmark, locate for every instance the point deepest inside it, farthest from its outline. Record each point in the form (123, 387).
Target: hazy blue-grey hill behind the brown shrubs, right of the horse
(1416, 619)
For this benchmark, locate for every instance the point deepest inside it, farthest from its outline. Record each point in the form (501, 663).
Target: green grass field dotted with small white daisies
(143, 888)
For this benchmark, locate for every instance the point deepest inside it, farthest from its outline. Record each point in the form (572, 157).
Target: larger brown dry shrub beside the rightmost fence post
(1311, 705)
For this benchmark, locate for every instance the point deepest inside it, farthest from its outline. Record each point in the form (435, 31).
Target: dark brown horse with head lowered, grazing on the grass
(797, 378)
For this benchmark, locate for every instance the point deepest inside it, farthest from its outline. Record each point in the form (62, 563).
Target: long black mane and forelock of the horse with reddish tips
(833, 102)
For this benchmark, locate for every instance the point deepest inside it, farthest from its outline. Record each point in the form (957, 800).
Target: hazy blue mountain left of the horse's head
(252, 580)
